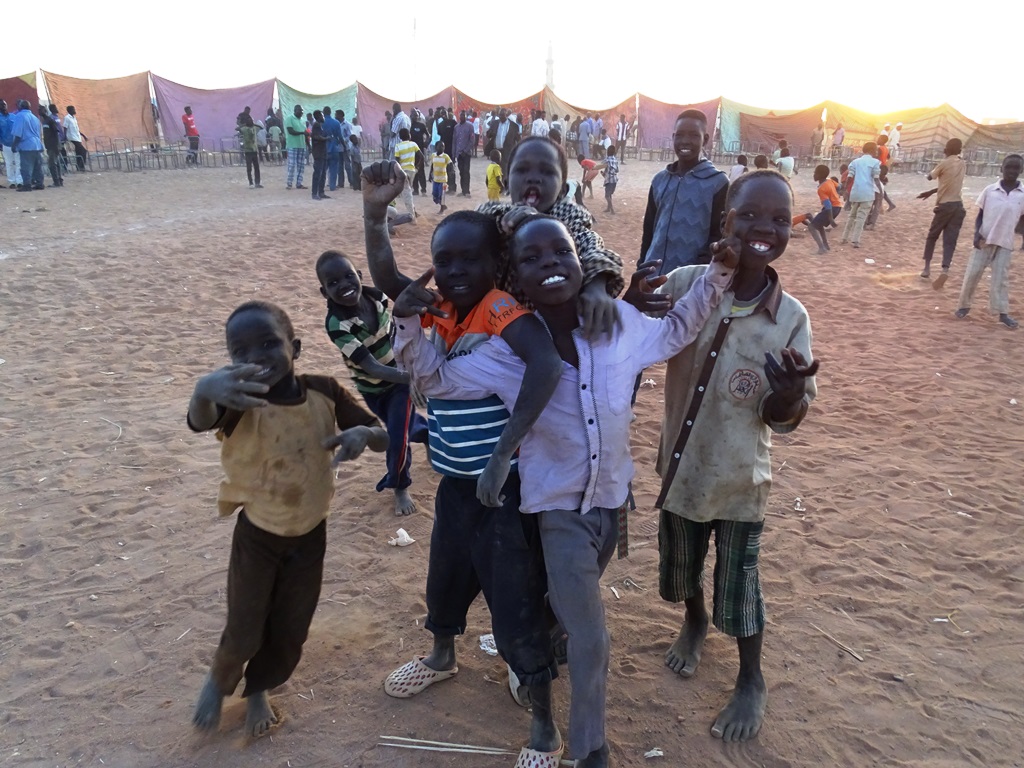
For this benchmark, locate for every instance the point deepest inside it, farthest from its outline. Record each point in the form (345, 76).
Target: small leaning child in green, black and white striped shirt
(360, 324)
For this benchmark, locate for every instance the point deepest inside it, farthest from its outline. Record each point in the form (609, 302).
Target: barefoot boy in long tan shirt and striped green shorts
(714, 460)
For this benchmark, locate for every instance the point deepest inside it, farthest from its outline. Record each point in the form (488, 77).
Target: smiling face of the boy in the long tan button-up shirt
(763, 222)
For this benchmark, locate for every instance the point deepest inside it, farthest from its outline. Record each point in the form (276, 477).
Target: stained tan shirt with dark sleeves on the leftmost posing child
(276, 465)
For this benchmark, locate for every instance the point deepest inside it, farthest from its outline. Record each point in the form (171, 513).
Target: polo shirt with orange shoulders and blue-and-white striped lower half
(463, 434)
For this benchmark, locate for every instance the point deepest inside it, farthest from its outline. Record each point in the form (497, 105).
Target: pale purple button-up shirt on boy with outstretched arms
(577, 456)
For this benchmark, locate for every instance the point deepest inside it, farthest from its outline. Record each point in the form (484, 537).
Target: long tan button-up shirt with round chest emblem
(714, 457)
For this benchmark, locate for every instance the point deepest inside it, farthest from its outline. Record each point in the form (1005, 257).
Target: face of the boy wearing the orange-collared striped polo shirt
(464, 265)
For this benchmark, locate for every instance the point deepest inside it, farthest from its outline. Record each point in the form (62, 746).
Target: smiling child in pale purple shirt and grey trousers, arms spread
(576, 461)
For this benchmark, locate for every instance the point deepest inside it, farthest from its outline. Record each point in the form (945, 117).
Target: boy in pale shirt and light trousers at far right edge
(1000, 209)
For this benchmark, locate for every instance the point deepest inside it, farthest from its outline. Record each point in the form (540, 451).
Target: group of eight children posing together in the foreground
(528, 425)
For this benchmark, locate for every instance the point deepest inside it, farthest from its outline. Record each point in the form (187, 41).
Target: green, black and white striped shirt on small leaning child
(357, 343)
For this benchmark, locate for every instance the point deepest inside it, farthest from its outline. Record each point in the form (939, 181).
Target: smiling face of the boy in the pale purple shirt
(546, 264)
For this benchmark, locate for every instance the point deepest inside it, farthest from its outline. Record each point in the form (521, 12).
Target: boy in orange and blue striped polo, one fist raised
(480, 540)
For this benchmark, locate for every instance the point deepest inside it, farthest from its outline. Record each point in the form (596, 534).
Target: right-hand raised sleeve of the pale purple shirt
(665, 338)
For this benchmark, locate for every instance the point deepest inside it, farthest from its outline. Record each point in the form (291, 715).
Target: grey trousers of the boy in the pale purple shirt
(577, 550)
